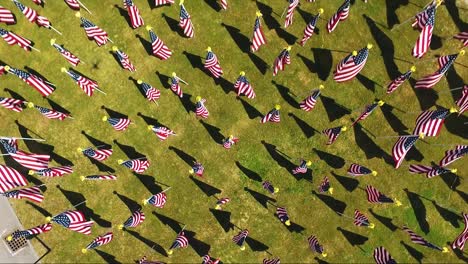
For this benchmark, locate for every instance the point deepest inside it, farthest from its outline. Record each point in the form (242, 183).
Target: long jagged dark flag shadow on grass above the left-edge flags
(38, 147)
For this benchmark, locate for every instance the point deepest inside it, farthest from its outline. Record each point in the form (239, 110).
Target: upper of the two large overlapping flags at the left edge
(28, 160)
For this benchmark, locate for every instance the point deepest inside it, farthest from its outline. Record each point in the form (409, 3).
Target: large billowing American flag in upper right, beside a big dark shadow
(350, 66)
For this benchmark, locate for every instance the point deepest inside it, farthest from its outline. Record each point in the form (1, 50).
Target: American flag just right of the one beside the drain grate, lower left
(74, 220)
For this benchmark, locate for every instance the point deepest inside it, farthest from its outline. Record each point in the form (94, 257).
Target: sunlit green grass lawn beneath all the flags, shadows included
(429, 207)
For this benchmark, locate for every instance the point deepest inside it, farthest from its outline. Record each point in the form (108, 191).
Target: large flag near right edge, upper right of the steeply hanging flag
(430, 122)
